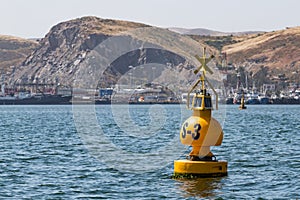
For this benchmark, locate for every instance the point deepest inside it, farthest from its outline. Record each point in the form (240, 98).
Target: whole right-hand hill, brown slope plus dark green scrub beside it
(265, 56)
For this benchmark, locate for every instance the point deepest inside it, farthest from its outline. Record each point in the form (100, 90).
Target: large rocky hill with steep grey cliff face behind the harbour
(70, 53)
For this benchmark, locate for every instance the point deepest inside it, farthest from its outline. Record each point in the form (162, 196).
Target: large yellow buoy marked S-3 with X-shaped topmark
(201, 131)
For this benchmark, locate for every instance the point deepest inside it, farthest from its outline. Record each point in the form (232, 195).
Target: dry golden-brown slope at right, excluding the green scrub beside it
(277, 51)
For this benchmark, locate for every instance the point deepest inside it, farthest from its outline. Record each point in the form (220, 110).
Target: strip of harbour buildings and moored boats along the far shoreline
(132, 97)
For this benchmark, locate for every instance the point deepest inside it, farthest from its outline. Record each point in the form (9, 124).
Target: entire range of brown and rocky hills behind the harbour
(68, 48)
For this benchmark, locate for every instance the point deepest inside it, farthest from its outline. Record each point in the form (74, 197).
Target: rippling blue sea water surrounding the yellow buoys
(127, 152)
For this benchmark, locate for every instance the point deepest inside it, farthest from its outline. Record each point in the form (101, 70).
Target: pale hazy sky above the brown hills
(34, 18)
